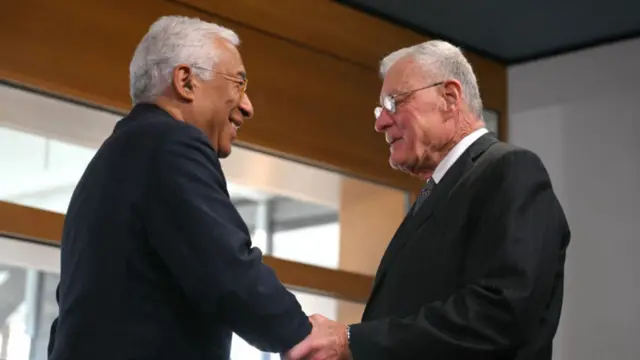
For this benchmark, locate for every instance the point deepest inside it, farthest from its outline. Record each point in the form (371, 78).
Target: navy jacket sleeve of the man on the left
(199, 234)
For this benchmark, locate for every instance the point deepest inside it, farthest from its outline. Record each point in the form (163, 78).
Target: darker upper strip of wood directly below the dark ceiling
(346, 33)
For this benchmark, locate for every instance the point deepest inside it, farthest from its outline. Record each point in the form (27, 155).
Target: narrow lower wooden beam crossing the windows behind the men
(44, 226)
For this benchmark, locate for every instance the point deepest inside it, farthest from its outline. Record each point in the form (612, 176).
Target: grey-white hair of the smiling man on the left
(170, 41)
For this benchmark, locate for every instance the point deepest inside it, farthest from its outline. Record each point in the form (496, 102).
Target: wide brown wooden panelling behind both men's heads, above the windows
(314, 86)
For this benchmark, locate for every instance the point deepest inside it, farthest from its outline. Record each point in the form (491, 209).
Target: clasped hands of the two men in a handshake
(328, 341)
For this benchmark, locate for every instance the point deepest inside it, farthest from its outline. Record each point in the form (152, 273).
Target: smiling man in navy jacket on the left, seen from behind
(156, 261)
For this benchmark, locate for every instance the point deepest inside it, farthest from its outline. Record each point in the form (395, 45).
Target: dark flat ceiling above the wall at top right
(514, 31)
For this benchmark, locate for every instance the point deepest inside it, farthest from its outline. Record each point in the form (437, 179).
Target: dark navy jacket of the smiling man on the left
(156, 261)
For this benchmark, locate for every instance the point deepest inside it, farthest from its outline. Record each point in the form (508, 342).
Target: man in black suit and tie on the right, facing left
(475, 270)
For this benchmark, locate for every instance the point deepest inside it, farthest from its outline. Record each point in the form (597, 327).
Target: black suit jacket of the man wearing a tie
(477, 272)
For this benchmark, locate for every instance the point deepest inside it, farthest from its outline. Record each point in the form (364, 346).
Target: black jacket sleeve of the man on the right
(520, 229)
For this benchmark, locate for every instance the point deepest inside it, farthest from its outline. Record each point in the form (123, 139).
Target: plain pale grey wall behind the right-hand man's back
(581, 114)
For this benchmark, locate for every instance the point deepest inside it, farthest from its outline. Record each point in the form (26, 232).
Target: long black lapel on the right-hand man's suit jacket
(435, 201)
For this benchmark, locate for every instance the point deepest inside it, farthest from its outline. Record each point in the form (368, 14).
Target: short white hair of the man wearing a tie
(444, 61)
